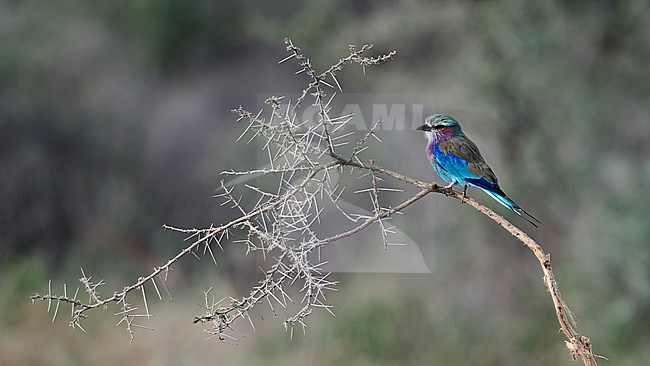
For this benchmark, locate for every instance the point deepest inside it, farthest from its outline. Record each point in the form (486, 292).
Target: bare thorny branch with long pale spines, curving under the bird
(305, 157)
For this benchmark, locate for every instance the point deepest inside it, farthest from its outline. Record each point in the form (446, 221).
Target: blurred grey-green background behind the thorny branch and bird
(115, 118)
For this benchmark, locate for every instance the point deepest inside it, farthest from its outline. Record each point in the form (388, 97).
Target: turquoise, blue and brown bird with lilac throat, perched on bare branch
(457, 160)
